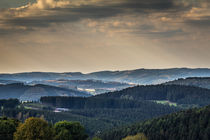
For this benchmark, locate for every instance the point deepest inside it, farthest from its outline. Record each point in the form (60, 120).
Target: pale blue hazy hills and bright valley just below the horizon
(103, 81)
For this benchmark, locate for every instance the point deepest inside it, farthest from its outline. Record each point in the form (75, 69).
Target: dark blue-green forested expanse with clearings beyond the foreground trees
(115, 109)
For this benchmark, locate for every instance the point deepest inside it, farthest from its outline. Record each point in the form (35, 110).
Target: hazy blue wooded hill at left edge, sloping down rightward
(33, 93)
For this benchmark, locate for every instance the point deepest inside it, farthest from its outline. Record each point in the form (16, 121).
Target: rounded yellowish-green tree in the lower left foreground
(34, 129)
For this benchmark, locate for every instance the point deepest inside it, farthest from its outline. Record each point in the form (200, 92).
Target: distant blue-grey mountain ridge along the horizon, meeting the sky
(138, 76)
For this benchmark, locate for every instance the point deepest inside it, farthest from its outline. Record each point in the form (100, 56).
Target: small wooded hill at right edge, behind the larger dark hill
(203, 82)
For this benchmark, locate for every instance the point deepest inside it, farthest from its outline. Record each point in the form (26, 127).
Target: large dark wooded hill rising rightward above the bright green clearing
(173, 93)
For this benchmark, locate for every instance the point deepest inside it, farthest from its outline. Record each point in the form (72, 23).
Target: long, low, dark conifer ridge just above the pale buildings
(99, 103)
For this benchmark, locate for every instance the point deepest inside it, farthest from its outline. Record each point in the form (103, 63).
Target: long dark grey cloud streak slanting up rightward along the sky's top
(73, 14)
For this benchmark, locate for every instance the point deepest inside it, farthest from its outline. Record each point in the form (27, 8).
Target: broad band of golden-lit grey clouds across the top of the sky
(173, 14)
